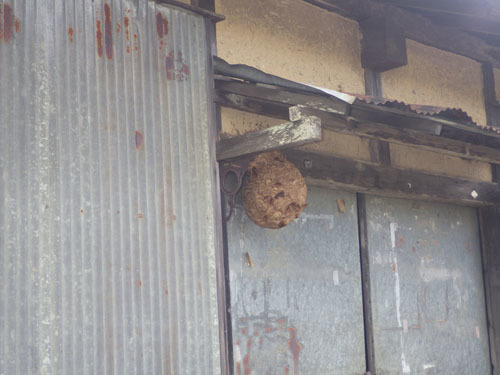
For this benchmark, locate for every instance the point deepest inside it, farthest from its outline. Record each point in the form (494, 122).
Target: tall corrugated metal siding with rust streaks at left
(106, 221)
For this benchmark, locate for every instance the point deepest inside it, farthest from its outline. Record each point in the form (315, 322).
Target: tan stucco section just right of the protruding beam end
(435, 77)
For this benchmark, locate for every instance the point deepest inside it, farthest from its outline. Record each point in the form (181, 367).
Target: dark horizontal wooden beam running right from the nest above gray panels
(335, 172)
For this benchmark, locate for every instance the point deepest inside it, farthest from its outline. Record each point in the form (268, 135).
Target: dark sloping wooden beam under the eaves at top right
(418, 28)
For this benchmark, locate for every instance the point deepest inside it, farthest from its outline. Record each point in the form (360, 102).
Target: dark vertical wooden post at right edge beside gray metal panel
(489, 222)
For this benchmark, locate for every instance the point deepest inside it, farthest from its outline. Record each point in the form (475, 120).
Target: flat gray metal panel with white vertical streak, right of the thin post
(427, 288)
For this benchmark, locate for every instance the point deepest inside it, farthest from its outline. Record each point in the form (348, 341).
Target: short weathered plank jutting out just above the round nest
(296, 133)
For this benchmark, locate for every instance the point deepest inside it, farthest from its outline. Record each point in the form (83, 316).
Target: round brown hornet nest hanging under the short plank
(276, 193)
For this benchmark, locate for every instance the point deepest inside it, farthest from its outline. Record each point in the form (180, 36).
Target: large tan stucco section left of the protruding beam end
(292, 39)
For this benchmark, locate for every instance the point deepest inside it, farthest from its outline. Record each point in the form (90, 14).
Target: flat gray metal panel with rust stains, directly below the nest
(298, 308)
